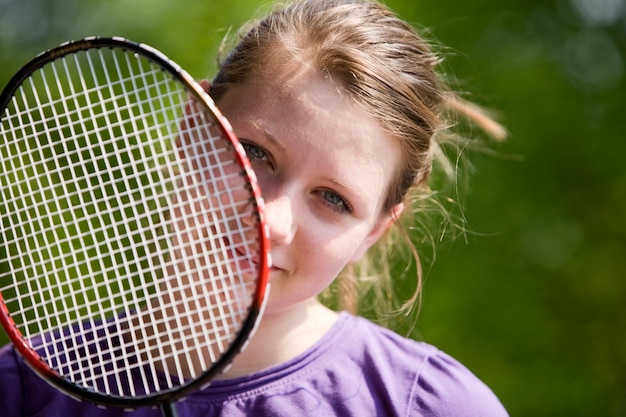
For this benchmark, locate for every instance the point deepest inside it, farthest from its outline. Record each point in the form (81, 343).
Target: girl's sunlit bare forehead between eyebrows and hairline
(319, 126)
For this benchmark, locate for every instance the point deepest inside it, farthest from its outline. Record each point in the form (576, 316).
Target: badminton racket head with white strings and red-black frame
(134, 252)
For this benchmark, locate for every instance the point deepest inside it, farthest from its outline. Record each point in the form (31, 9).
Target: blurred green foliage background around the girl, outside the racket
(533, 300)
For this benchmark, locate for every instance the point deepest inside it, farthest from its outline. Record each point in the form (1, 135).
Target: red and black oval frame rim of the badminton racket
(165, 398)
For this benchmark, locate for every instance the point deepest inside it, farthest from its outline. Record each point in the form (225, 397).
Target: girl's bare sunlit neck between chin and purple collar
(281, 336)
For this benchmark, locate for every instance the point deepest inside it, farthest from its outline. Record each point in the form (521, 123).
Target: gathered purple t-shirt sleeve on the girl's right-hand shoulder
(445, 388)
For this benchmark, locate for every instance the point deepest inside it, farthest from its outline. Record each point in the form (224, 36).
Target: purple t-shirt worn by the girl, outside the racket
(357, 369)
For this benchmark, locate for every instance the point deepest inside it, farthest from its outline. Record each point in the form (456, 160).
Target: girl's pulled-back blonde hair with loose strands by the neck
(389, 70)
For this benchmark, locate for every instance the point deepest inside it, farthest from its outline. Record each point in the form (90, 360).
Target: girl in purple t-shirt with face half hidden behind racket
(339, 108)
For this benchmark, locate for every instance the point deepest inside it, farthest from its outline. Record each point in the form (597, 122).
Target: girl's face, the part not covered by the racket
(324, 167)
